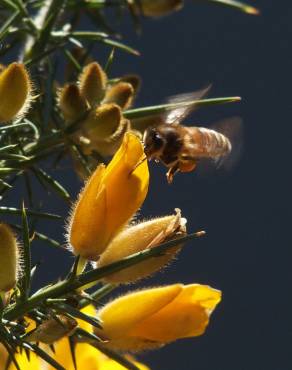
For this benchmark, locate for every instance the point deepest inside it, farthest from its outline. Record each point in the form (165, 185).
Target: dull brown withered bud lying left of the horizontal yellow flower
(53, 329)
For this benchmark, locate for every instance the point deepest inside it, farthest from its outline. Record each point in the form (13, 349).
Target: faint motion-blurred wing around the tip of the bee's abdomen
(232, 128)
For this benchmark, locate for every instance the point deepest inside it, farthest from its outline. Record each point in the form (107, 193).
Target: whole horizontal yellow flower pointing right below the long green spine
(153, 317)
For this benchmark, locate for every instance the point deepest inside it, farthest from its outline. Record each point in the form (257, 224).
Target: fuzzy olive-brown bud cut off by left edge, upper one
(15, 89)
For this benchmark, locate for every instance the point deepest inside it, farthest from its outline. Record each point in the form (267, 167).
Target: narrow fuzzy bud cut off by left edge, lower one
(9, 257)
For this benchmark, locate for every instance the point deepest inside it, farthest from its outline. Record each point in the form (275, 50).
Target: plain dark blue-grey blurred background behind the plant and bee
(247, 252)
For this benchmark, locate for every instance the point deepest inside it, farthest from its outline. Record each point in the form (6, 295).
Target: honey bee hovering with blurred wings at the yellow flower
(181, 148)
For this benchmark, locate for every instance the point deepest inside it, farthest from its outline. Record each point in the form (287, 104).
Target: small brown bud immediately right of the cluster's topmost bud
(121, 93)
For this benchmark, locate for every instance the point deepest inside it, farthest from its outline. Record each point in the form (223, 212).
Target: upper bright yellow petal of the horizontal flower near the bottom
(124, 313)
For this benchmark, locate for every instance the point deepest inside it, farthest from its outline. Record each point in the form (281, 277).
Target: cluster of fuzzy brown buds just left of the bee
(101, 102)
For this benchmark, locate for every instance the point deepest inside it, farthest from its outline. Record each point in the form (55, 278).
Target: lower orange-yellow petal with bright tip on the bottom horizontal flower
(186, 316)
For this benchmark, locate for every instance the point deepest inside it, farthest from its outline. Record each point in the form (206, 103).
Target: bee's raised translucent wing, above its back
(176, 115)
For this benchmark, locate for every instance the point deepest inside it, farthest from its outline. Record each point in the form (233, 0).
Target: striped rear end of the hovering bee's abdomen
(213, 143)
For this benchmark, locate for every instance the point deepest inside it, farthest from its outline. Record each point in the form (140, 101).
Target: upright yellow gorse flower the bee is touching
(110, 198)
